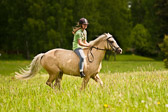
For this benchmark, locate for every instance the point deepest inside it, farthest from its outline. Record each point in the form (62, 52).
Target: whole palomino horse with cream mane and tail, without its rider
(59, 61)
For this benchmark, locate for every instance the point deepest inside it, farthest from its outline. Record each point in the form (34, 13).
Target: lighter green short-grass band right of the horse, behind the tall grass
(131, 66)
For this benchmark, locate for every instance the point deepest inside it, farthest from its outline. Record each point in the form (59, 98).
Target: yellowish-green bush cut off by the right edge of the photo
(164, 48)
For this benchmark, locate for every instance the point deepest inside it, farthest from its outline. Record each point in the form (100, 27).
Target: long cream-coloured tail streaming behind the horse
(32, 70)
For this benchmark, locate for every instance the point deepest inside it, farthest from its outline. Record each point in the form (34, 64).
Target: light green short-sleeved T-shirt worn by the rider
(82, 35)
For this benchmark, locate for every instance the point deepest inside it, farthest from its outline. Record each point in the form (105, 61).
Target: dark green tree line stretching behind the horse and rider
(28, 27)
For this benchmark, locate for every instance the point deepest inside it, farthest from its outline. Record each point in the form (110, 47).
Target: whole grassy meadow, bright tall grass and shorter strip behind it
(132, 83)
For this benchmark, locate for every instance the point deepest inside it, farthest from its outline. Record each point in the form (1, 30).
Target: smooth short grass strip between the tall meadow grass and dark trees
(124, 63)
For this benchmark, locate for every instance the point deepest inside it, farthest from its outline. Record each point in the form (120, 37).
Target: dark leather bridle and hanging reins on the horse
(109, 43)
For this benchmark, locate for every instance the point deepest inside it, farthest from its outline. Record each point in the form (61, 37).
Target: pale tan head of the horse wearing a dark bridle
(112, 44)
